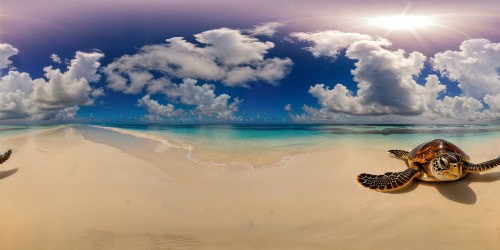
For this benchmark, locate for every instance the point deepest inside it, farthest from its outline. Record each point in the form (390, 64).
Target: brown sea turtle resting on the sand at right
(437, 160)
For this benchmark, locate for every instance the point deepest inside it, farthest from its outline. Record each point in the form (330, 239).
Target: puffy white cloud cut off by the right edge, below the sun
(476, 67)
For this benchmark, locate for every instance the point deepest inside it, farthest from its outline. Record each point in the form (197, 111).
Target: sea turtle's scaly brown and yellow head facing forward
(446, 167)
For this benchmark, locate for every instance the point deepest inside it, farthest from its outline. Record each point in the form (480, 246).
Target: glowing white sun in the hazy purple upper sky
(402, 22)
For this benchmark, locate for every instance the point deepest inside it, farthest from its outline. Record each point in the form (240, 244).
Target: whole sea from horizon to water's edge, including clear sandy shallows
(248, 146)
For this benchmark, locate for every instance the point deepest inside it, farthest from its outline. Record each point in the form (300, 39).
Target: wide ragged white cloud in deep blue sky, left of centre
(224, 55)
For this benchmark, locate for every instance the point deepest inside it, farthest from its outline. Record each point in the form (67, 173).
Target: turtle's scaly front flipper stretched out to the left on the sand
(389, 181)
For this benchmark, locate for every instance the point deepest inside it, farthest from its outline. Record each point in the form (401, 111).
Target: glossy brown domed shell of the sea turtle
(425, 152)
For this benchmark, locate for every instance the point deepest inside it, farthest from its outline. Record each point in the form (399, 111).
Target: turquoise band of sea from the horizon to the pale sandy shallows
(265, 138)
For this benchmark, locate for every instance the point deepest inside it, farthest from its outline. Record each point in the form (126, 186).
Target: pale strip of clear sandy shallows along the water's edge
(246, 160)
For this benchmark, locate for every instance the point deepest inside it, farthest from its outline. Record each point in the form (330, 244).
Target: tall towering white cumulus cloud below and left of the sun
(385, 80)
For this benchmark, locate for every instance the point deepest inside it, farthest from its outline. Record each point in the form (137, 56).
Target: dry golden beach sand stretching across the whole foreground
(62, 190)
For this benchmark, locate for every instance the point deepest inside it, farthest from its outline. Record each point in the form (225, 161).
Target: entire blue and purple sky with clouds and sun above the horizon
(220, 61)
